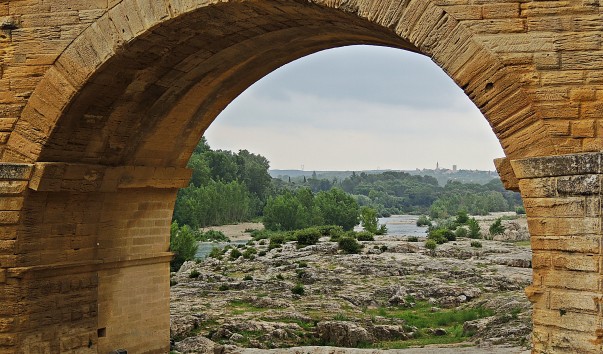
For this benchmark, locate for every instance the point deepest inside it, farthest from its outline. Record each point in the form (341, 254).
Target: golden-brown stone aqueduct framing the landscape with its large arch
(103, 101)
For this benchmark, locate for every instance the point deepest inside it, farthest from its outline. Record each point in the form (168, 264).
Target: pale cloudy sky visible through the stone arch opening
(358, 108)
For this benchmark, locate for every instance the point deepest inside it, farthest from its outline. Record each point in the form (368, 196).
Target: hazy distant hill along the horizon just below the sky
(442, 175)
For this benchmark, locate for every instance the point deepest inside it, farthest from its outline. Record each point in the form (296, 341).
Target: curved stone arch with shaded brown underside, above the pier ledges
(150, 101)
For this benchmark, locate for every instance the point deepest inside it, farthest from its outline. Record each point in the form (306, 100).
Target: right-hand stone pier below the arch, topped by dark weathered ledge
(562, 196)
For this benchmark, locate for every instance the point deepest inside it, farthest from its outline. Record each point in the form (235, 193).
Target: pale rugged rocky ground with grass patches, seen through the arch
(395, 294)
